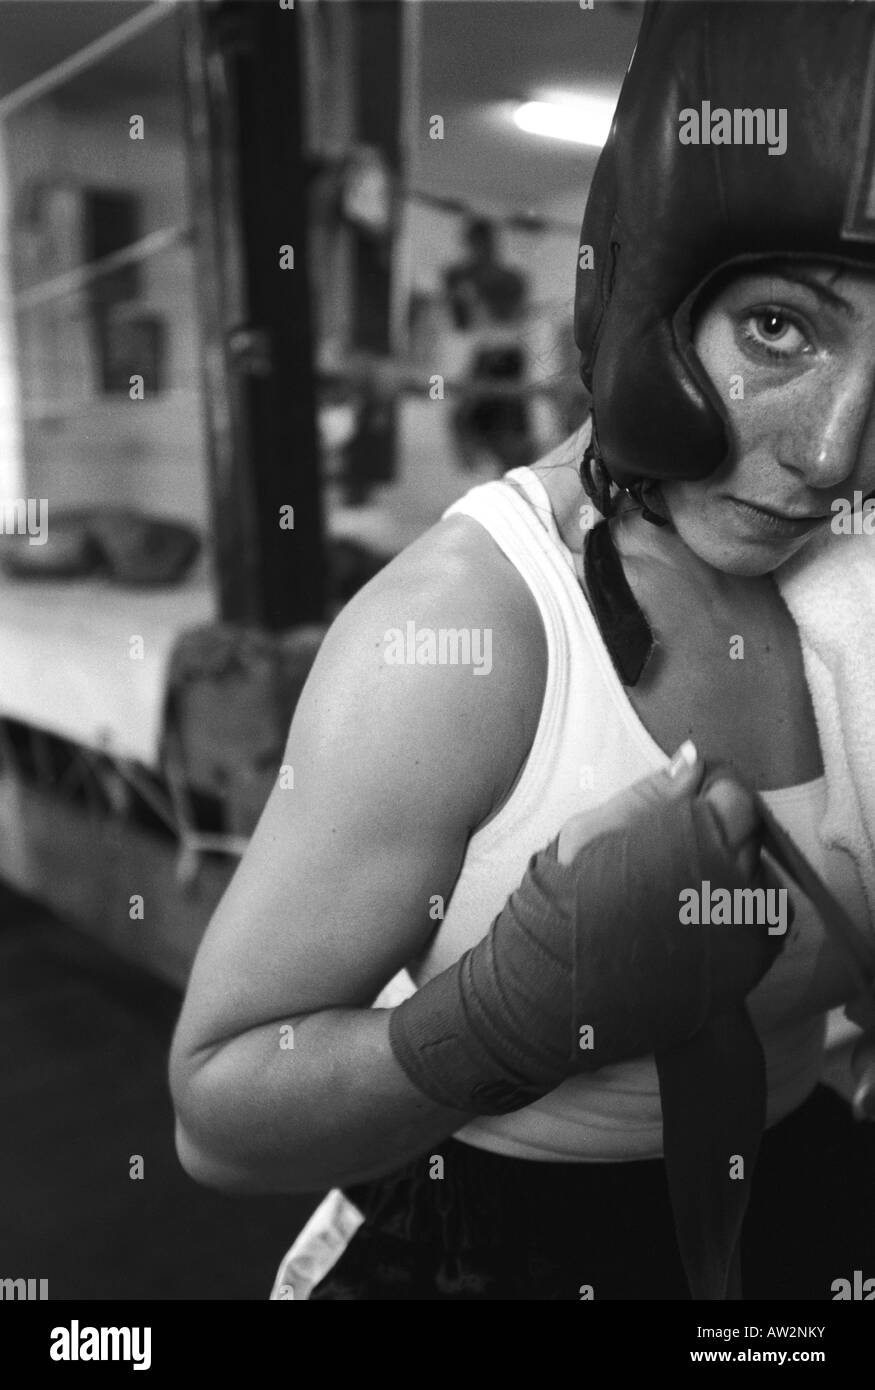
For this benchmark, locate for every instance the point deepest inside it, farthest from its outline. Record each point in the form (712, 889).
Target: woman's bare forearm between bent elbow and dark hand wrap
(303, 1106)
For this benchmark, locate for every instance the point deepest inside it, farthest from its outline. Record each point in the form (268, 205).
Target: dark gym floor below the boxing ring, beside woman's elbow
(84, 1043)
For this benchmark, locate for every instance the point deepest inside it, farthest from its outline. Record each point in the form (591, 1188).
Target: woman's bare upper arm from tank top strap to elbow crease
(393, 767)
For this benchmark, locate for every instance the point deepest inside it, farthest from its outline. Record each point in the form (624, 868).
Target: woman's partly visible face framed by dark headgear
(791, 350)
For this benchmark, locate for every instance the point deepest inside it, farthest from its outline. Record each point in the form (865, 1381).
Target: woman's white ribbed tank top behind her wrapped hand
(589, 746)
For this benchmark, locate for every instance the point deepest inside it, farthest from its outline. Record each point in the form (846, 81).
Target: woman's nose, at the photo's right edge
(837, 432)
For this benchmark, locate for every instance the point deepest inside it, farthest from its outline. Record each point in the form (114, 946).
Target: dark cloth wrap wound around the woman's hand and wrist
(596, 943)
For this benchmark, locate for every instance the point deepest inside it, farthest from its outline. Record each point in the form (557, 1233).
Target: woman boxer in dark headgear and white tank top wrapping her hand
(572, 1102)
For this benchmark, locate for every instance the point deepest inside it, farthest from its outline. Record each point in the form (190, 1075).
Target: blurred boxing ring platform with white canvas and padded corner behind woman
(138, 743)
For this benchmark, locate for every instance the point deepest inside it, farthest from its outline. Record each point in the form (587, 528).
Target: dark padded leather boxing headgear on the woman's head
(664, 218)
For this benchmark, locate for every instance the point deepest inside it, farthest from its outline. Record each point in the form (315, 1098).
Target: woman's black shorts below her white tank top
(497, 1228)
